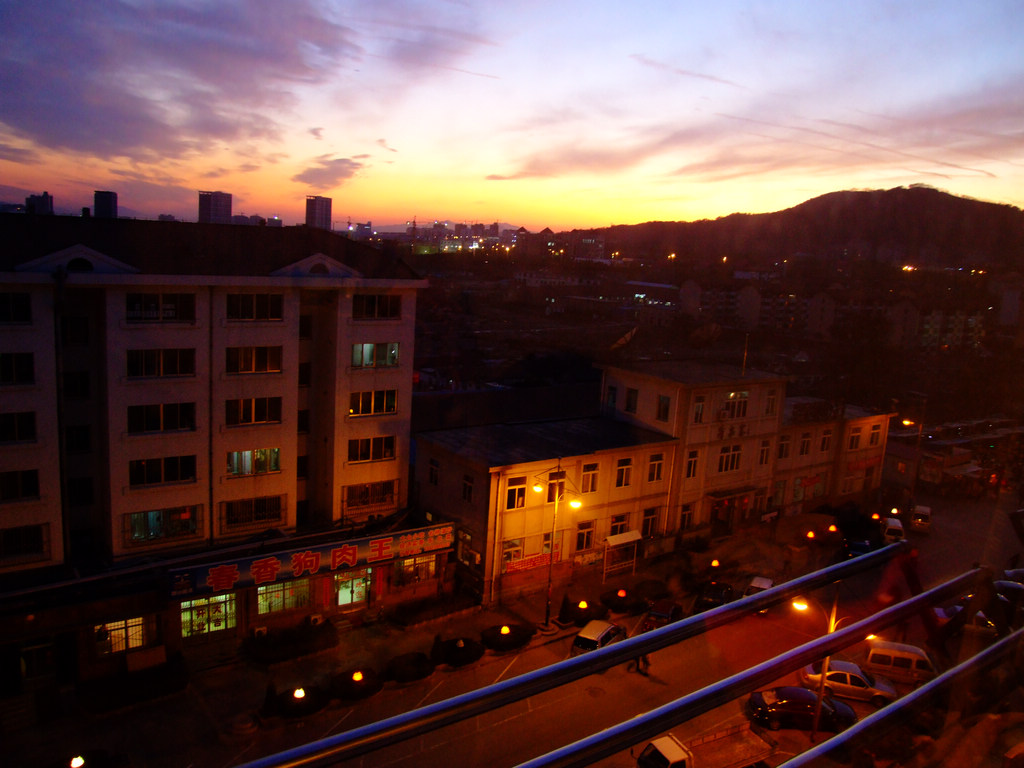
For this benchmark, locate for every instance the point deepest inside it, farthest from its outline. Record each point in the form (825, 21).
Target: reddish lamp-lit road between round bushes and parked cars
(963, 534)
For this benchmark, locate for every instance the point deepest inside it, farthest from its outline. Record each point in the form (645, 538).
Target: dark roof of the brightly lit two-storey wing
(504, 445)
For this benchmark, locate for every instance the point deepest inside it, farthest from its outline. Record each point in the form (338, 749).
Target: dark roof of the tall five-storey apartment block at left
(186, 248)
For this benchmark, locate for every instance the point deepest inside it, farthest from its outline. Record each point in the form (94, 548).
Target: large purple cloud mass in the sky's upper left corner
(159, 80)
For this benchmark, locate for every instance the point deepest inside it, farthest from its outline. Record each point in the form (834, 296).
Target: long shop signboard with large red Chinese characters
(266, 570)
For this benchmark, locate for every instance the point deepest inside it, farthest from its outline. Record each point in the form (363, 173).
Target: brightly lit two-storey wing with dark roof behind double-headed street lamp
(522, 494)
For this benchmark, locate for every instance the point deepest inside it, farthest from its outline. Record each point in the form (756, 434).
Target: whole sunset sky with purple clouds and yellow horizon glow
(536, 114)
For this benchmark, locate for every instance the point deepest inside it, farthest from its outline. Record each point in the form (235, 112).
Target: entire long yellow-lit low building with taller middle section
(684, 449)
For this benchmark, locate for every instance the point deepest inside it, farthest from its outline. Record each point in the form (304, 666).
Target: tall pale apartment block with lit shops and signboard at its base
(174, 392)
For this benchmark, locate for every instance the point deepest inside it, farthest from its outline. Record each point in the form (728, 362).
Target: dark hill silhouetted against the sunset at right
(917, 225)
